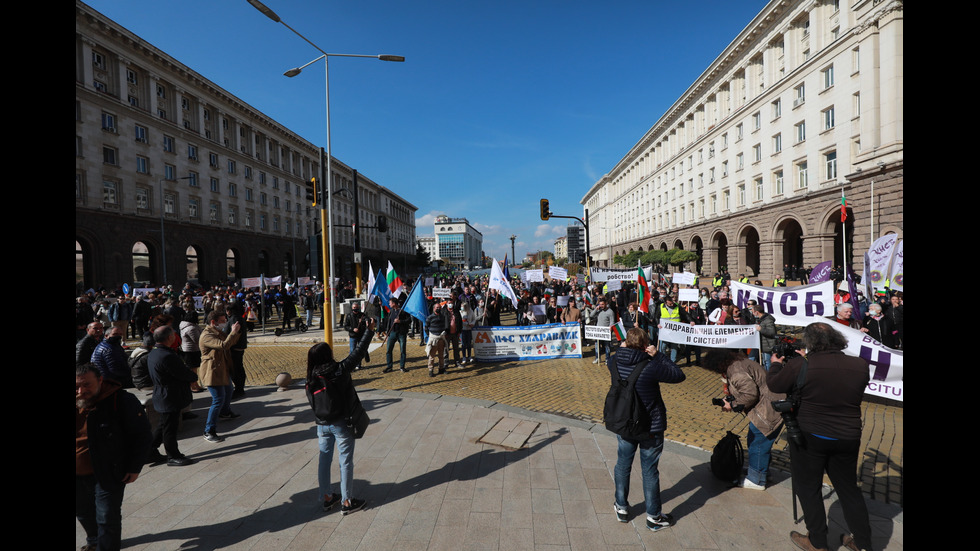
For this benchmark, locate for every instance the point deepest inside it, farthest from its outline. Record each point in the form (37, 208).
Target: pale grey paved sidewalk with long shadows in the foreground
(430, 484)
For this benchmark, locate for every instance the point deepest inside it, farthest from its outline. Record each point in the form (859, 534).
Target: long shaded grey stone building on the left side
(177, 179)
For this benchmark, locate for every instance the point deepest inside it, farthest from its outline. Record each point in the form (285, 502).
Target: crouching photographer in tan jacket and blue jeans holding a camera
(746, 392)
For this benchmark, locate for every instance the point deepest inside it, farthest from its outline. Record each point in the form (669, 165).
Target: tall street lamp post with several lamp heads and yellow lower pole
(328, 267)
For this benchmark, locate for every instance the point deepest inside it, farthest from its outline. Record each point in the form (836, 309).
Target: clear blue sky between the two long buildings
(497, 105)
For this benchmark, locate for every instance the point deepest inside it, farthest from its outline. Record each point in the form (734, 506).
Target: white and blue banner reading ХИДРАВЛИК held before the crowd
(534, 342)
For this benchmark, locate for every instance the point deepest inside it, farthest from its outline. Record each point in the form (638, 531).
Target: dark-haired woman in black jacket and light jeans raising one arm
(332, 424)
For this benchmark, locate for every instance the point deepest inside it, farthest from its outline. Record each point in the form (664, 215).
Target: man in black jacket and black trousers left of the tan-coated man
(171, 393)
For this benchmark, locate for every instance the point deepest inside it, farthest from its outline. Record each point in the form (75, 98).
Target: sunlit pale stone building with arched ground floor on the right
(748, 167)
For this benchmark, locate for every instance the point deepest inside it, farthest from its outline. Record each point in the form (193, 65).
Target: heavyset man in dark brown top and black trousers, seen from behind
(829, 418)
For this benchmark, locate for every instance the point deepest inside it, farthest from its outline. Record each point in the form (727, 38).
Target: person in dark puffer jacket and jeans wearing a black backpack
(636, 350)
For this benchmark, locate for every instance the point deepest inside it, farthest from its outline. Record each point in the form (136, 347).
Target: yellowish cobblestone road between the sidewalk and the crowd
(576, 388)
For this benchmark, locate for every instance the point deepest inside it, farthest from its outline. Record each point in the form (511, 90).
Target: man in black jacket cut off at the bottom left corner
(112, 440)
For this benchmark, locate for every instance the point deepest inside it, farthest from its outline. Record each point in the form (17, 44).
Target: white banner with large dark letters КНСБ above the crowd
(789, 305)
